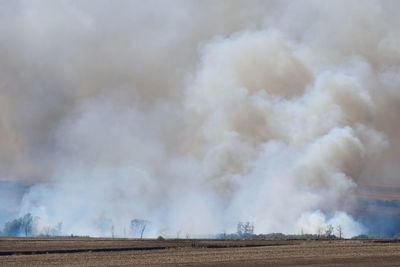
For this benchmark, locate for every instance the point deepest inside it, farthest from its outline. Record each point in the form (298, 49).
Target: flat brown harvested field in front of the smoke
(186, 252)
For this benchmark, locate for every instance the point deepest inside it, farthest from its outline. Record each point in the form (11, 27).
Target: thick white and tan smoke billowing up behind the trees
(195, 115)
